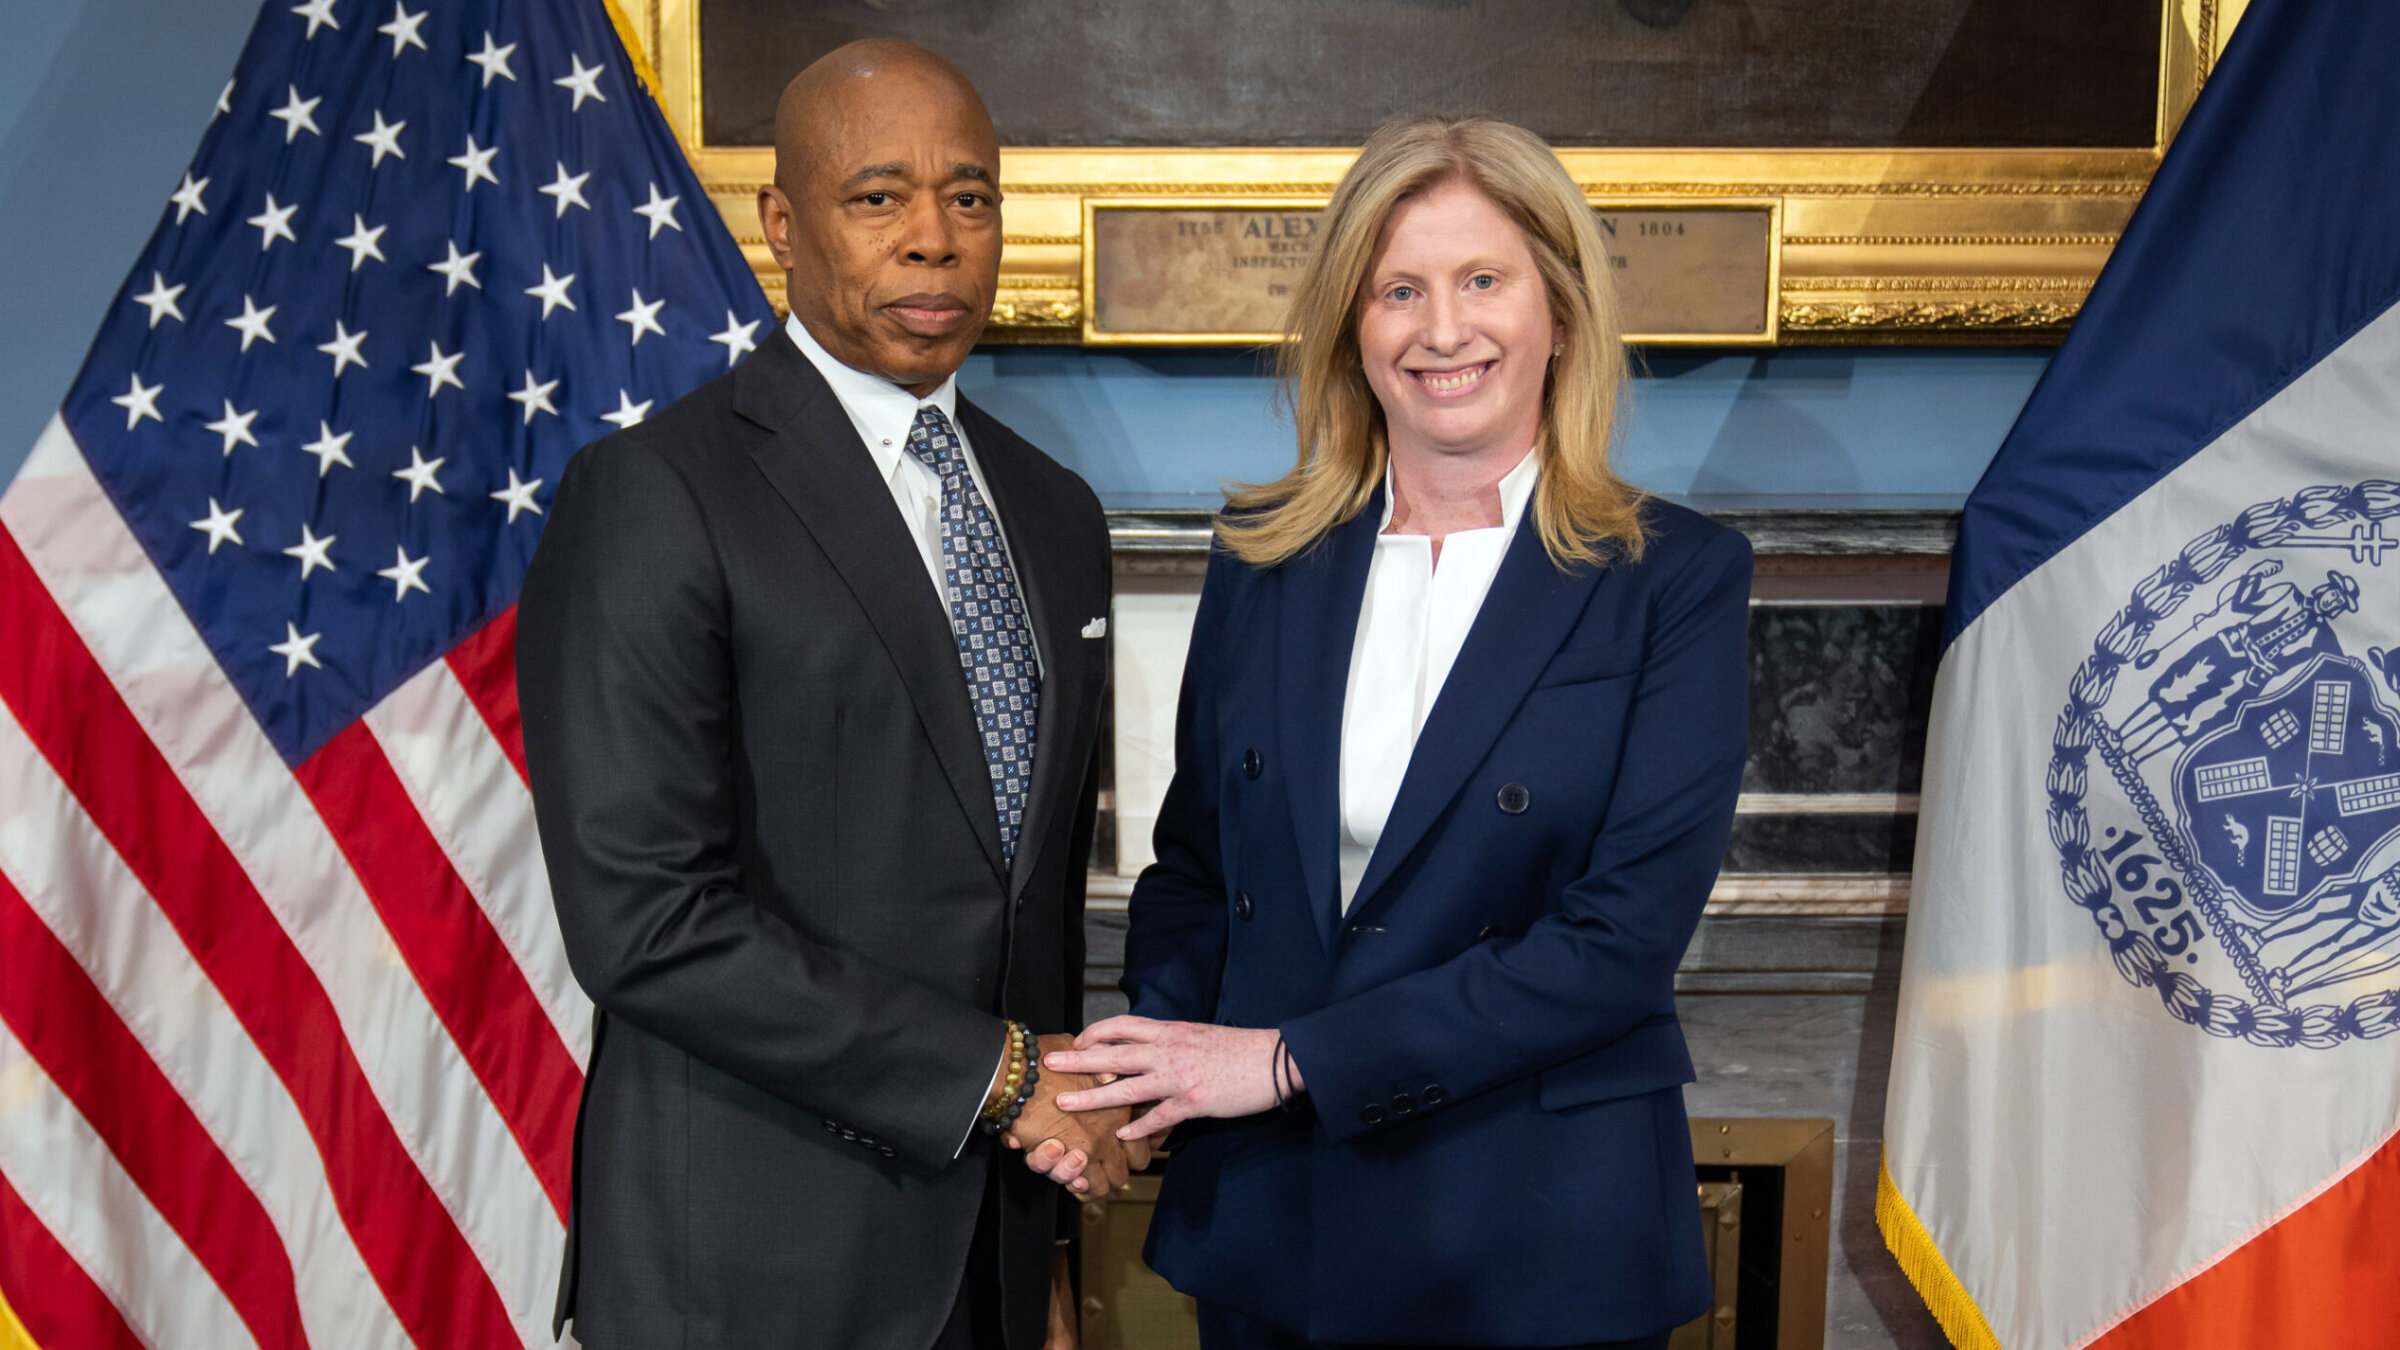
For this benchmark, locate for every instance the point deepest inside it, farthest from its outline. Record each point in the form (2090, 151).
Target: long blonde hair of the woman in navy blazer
(1580, 506)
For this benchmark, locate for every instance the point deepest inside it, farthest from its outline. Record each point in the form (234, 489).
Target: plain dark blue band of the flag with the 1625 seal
(2262, 246)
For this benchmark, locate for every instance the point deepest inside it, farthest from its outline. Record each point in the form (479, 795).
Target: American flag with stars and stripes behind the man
(289, 1049)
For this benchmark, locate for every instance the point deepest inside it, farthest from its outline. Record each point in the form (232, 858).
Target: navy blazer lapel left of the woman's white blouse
(1321, 595)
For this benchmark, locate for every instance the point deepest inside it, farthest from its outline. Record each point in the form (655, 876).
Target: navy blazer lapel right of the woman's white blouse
(1528, 614)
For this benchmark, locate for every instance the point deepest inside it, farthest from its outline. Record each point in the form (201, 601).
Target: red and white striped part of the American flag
(292, 1056)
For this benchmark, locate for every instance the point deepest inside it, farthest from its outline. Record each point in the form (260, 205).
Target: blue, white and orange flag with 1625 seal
(2147, 1082)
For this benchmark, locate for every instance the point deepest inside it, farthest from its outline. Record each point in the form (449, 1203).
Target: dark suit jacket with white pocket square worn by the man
(776, 864)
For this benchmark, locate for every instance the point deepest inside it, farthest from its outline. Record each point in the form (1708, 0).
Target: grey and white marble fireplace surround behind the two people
(1789, 986)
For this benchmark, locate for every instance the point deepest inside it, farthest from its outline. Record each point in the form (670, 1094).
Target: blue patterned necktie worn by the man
(988, 619)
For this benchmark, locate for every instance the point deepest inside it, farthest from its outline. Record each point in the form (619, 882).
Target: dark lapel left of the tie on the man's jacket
(824, 474)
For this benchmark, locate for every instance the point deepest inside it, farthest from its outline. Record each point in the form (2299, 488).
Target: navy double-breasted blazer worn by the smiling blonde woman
(1496, 1147)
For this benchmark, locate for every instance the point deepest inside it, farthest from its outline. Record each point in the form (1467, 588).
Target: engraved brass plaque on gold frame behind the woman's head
(1180, 273)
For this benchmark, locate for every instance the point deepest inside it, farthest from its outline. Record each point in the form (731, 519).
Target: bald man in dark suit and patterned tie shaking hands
(812, 674)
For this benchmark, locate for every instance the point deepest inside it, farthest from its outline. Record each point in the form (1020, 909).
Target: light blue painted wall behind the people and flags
(104, 100)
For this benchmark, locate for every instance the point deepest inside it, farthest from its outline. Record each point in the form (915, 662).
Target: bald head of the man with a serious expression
(887, 217)
